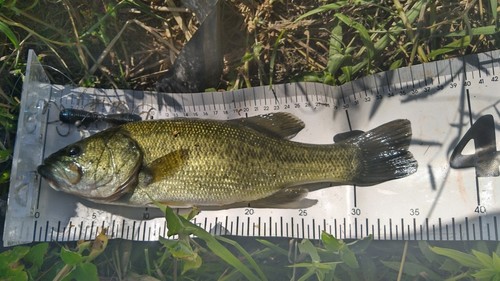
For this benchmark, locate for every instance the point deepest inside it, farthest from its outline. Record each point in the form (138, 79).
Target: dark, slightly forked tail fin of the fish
(384, 153)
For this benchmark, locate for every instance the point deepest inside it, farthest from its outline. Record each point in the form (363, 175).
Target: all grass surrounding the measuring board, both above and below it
(268, 42)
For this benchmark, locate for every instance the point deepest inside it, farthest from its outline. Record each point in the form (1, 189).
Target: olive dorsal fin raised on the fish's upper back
(280, 125)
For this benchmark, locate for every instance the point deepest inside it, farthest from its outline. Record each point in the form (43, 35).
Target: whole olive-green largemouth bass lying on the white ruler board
(195, 162)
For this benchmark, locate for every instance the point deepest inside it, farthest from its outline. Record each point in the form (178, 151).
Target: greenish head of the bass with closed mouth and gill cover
(102, 167)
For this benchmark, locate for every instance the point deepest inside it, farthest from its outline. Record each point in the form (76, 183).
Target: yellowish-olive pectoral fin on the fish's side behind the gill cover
(163, 167)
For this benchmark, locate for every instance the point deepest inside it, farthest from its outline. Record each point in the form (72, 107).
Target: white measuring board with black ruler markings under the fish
(453, 106)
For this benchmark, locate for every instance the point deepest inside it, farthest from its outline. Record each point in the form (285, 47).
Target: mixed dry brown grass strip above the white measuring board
(130, 44)
